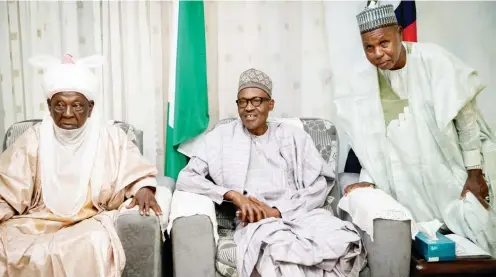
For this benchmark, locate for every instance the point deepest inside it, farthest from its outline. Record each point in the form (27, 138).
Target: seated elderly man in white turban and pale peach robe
(63, 180)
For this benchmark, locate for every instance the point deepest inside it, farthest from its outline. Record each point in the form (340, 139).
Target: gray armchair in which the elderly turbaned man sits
(141, 236)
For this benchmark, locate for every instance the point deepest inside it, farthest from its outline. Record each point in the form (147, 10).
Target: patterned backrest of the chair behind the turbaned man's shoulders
(17, 129)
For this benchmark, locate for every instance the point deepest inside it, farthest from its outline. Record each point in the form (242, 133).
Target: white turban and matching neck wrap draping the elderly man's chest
(67, 157)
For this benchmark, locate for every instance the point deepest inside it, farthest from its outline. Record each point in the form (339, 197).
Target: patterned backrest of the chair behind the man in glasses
(325, 136)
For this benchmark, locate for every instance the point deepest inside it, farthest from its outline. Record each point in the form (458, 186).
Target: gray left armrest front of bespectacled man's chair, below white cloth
(193, 247)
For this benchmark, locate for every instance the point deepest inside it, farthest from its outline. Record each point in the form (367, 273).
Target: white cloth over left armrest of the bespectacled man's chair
(186, 204)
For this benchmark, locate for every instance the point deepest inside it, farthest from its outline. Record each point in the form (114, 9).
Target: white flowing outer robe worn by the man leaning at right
(417, 158)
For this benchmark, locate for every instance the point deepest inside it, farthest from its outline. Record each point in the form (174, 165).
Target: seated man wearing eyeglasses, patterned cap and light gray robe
(275, 177)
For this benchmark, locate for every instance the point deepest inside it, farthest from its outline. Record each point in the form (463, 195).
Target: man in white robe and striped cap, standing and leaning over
(415, 127)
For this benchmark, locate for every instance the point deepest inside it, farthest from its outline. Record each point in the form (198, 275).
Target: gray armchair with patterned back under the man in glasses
(195, 253)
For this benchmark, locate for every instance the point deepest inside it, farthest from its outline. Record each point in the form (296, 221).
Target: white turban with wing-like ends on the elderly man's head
(69, 75)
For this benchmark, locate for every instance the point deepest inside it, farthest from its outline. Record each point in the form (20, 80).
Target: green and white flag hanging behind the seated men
(187, 110)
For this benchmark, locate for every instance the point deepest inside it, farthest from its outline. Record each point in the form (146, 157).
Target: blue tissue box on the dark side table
(442, 249)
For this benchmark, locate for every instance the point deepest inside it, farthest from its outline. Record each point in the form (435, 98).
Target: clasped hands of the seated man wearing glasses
(250, 212)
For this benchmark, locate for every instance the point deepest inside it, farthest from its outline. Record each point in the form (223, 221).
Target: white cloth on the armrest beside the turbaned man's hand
(163, 195)
